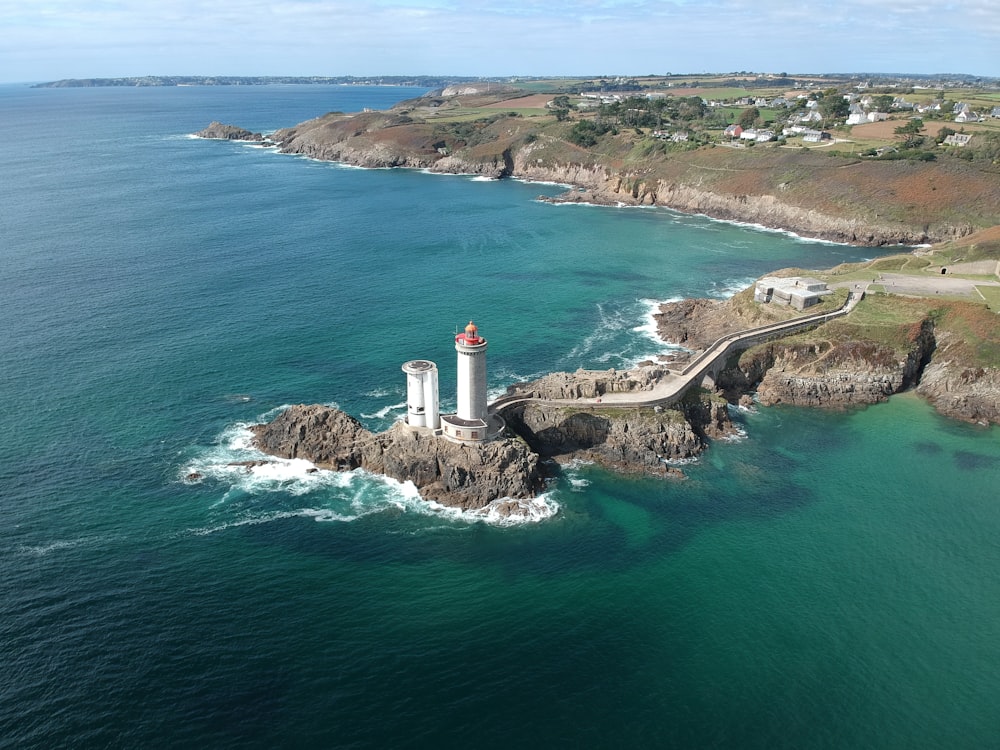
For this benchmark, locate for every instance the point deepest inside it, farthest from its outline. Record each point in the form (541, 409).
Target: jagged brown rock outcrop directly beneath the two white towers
(462, 476)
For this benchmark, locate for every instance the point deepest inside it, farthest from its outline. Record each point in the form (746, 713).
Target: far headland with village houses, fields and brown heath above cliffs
(833, 159)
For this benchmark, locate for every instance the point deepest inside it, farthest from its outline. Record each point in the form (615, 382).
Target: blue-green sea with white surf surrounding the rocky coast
(824, 580)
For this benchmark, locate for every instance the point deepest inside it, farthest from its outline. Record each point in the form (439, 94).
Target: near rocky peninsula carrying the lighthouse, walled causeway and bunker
(912, 321)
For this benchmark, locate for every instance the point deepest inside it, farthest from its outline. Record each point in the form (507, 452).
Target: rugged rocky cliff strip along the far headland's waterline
(390, 139)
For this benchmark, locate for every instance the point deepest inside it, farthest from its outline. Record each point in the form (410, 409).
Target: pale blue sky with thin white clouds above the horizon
(43, 40)
